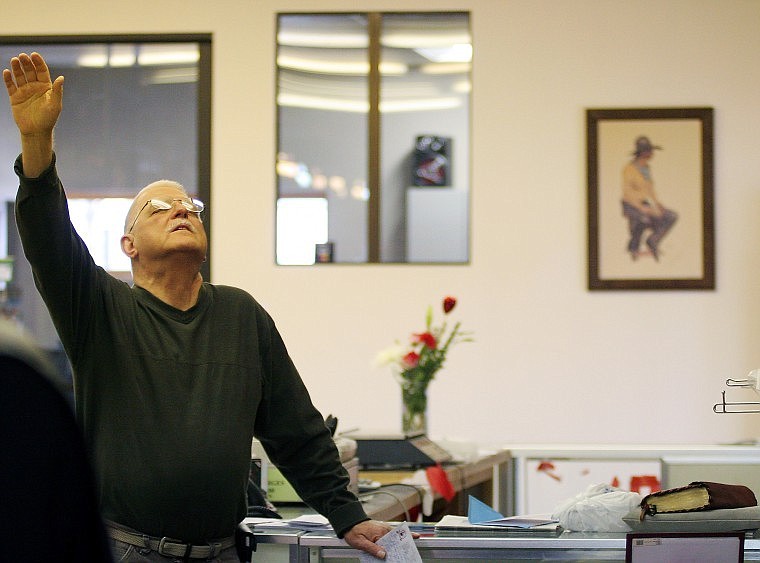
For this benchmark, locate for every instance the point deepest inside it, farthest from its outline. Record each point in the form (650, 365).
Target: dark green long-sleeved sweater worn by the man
(169, 400)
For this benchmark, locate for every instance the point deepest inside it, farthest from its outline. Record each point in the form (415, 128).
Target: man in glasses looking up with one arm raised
(173, 376)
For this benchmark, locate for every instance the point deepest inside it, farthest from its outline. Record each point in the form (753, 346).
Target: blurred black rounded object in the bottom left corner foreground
(48, 506)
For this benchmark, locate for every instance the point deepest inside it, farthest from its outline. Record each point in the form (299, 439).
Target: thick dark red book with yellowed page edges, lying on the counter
(699, 495)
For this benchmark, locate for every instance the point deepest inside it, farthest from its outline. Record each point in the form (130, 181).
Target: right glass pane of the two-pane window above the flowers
(425, 137)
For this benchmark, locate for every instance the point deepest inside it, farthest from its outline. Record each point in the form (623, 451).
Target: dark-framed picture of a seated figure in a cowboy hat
(650, 198)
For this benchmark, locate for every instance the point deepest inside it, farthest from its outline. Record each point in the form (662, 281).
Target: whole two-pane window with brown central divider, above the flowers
(373, 117)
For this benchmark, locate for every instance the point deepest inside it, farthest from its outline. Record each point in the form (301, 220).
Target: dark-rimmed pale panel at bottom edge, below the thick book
(708, 547)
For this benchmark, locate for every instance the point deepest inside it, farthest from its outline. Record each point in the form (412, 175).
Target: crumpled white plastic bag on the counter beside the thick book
(600, 508)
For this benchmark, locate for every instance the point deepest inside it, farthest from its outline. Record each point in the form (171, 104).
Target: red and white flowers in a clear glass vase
(417, 362)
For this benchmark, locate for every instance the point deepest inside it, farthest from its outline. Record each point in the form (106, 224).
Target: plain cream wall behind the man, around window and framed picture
(551, 361)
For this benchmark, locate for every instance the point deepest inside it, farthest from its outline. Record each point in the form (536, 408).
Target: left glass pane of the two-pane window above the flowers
(322, 105)
